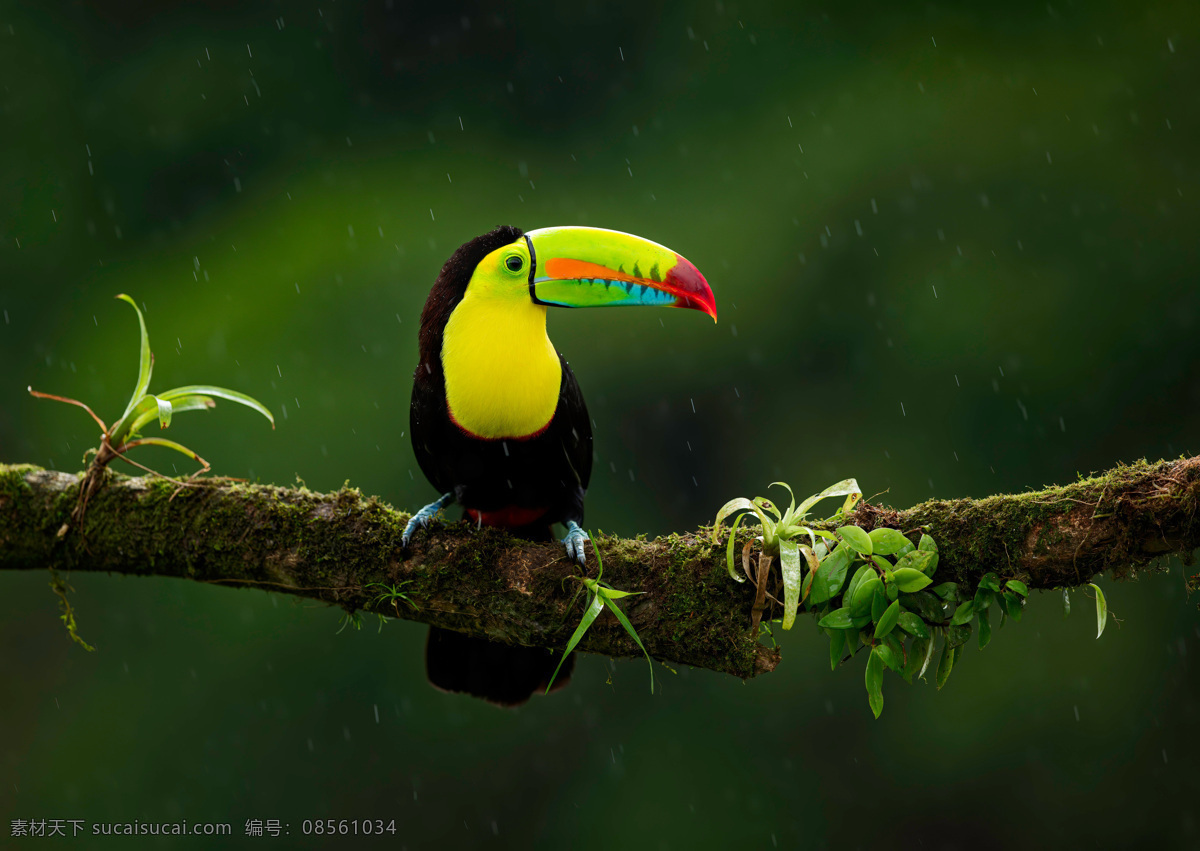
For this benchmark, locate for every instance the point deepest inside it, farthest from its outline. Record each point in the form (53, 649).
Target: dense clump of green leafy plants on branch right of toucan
(887, 604)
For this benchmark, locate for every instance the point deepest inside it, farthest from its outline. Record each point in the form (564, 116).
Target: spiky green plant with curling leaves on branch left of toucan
(143, 410)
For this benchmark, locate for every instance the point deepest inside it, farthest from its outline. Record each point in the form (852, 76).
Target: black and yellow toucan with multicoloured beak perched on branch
(499, 423)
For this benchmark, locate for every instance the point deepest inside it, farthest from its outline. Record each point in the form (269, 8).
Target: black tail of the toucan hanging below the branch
(505, 675)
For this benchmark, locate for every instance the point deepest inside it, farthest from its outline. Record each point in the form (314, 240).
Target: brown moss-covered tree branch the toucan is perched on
(341, 548)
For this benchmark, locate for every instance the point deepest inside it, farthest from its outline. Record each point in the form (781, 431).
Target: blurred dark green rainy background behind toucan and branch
(955, 254)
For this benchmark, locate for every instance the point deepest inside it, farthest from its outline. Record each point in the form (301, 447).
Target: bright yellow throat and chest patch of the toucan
(502, 373)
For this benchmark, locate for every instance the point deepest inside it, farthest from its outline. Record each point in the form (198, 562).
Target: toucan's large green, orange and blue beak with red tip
(598, 268)
